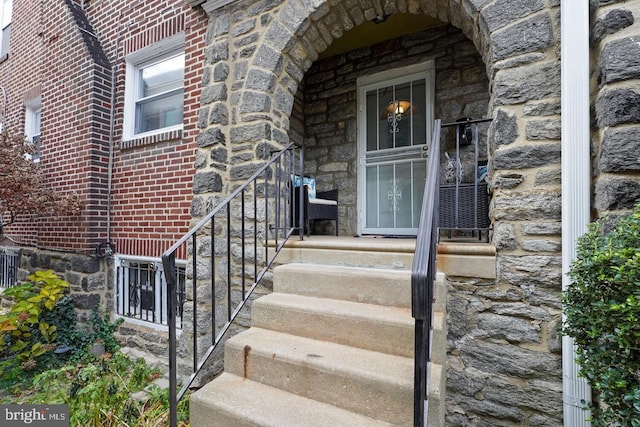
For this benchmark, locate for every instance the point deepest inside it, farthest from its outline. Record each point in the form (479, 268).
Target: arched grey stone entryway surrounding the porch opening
(504, 345)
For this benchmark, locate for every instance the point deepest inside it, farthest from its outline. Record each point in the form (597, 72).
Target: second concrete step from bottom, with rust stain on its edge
(366, 382)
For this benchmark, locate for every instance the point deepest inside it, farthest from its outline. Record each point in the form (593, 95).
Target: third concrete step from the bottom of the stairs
(368, 326)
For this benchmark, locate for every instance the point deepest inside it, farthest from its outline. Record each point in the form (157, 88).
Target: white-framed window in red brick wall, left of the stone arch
(154, 89)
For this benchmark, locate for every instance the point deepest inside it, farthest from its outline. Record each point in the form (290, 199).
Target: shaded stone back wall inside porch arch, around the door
(330, 104)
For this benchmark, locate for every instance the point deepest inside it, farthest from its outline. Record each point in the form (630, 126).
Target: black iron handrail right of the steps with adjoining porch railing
(460, 206)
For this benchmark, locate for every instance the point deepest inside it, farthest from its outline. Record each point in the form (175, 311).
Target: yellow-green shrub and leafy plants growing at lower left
(100, 391)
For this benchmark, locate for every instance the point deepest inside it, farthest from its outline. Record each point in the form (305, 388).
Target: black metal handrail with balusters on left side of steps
(224, 236)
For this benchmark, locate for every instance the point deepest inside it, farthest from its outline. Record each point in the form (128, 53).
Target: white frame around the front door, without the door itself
(424, 70)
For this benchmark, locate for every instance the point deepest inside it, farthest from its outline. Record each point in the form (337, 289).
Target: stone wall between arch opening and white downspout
(504, 353)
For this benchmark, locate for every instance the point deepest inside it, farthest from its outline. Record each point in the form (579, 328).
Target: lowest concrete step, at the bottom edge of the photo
(233, 401)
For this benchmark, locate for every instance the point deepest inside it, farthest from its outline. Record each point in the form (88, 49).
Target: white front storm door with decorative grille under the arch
(395, 121)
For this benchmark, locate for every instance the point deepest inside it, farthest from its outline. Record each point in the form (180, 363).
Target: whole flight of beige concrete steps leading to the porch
(331, 346)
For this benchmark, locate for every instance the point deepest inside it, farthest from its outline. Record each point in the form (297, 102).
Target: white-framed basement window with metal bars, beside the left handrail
(141, 289)
